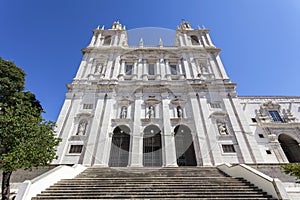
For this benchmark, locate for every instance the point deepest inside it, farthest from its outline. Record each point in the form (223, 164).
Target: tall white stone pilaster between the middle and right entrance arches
(168, 140)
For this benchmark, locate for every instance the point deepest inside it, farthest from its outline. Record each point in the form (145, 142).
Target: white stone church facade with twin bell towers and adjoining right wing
(169, 106)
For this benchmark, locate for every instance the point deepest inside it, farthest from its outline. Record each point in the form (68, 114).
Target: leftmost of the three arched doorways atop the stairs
(119, 151)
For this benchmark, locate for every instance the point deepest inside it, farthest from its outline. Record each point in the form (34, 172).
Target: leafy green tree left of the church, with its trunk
(26, 139)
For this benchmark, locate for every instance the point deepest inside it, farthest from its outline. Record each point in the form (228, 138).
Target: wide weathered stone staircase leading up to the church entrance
(153, 183)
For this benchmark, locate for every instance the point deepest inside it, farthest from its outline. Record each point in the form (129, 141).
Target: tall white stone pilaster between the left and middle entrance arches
(136, 153)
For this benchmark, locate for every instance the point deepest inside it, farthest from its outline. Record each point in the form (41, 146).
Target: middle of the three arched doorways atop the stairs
(152, 155)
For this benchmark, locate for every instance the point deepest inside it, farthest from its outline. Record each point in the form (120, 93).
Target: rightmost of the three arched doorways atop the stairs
(185, 152)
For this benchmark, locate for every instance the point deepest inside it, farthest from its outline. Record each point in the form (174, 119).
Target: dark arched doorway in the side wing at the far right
(290, 147)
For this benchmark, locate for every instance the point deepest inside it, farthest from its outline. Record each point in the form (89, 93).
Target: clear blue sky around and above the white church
(260, 39)
